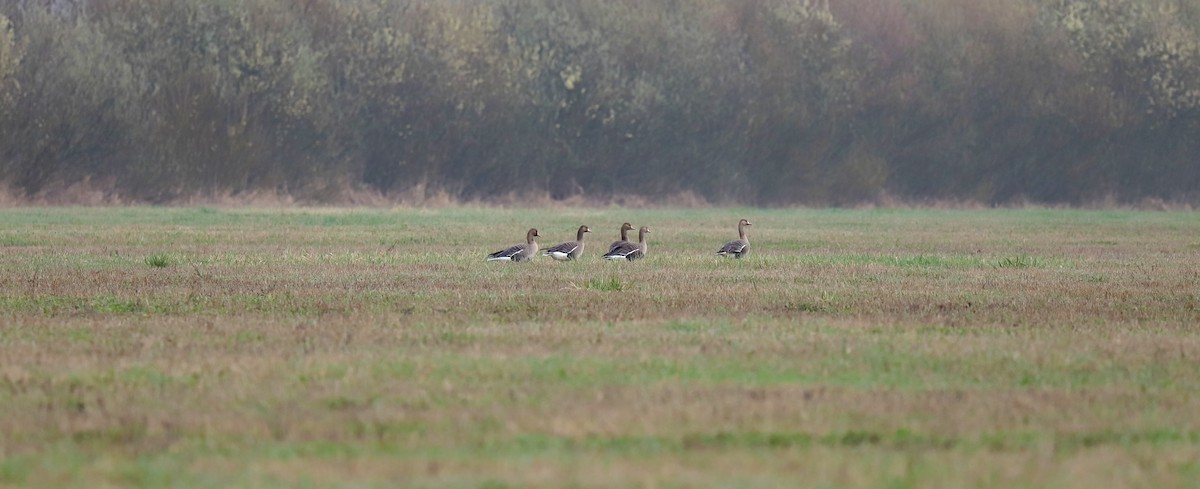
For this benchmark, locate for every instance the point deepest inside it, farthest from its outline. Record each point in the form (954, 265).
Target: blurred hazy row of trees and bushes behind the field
(760, 102)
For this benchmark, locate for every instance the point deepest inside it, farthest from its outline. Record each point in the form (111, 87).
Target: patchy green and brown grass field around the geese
(375, 348)
